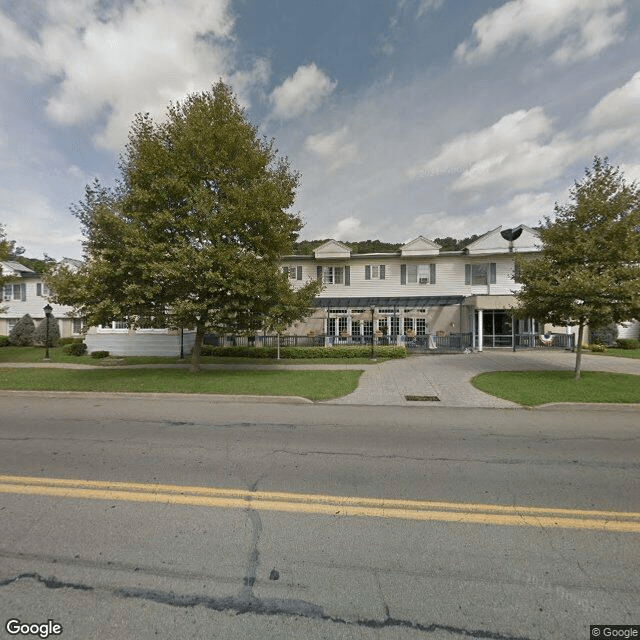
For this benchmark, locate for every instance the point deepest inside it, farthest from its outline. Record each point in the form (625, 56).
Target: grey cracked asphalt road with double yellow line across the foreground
(451, 523)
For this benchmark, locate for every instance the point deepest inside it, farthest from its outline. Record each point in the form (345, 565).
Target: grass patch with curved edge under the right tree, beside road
(531, 388)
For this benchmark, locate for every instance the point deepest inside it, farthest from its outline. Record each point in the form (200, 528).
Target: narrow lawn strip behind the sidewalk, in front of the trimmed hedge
(36, 354)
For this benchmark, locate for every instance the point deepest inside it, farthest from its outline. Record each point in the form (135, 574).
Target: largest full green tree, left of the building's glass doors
(192, 234)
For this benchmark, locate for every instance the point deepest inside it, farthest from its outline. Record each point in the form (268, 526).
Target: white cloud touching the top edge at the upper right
(585, 28)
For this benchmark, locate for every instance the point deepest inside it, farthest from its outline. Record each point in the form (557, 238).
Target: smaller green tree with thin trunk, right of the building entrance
(588, 272)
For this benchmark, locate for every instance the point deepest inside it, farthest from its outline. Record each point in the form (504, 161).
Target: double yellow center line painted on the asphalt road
(463, 513)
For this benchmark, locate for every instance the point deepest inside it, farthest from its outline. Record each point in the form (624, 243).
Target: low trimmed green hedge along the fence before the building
(304, 352)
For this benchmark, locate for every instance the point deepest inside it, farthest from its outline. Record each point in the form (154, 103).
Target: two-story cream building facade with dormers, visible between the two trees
(420, 290)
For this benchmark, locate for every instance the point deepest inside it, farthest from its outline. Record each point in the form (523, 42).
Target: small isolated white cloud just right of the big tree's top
(302, 92)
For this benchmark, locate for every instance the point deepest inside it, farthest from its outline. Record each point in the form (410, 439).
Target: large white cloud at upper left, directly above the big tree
(135, 57)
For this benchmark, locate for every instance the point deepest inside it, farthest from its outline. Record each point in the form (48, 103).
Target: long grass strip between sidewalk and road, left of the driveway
(315, 385)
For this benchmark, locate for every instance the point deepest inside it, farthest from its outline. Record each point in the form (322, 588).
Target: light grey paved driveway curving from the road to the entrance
(448, 376)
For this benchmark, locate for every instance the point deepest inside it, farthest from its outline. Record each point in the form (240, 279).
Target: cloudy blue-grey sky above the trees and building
(404, 117)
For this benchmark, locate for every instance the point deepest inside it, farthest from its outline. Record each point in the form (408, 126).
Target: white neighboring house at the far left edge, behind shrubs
(24, 291)
